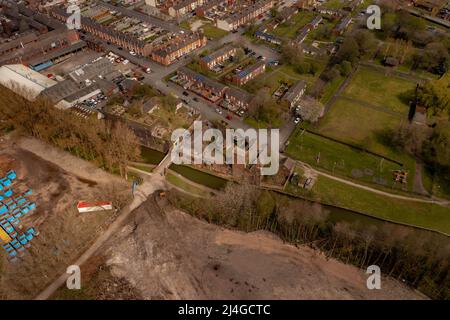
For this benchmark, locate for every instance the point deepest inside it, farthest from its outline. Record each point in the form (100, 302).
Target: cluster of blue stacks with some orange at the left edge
(13, 207)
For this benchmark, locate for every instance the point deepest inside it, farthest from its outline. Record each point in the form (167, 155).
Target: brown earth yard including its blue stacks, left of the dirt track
(42, 231)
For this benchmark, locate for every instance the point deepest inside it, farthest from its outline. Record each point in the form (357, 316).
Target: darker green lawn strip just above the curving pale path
(338, 158)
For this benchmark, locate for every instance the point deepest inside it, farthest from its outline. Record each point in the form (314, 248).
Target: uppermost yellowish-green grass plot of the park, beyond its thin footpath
(374, 87)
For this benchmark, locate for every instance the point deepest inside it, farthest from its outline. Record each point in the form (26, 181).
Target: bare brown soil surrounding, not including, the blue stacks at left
(64, 233)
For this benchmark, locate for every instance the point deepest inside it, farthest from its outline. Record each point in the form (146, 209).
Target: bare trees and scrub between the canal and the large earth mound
(419, 258)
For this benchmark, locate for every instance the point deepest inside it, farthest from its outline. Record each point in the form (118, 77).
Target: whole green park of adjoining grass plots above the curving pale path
(352, 139)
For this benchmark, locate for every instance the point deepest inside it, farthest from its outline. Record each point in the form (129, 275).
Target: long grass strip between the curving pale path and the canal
(425, 215)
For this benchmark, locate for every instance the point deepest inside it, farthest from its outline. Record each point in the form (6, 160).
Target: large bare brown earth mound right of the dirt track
(167, 254)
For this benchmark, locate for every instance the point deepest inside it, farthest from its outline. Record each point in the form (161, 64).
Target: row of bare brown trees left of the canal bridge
(110, 145)
